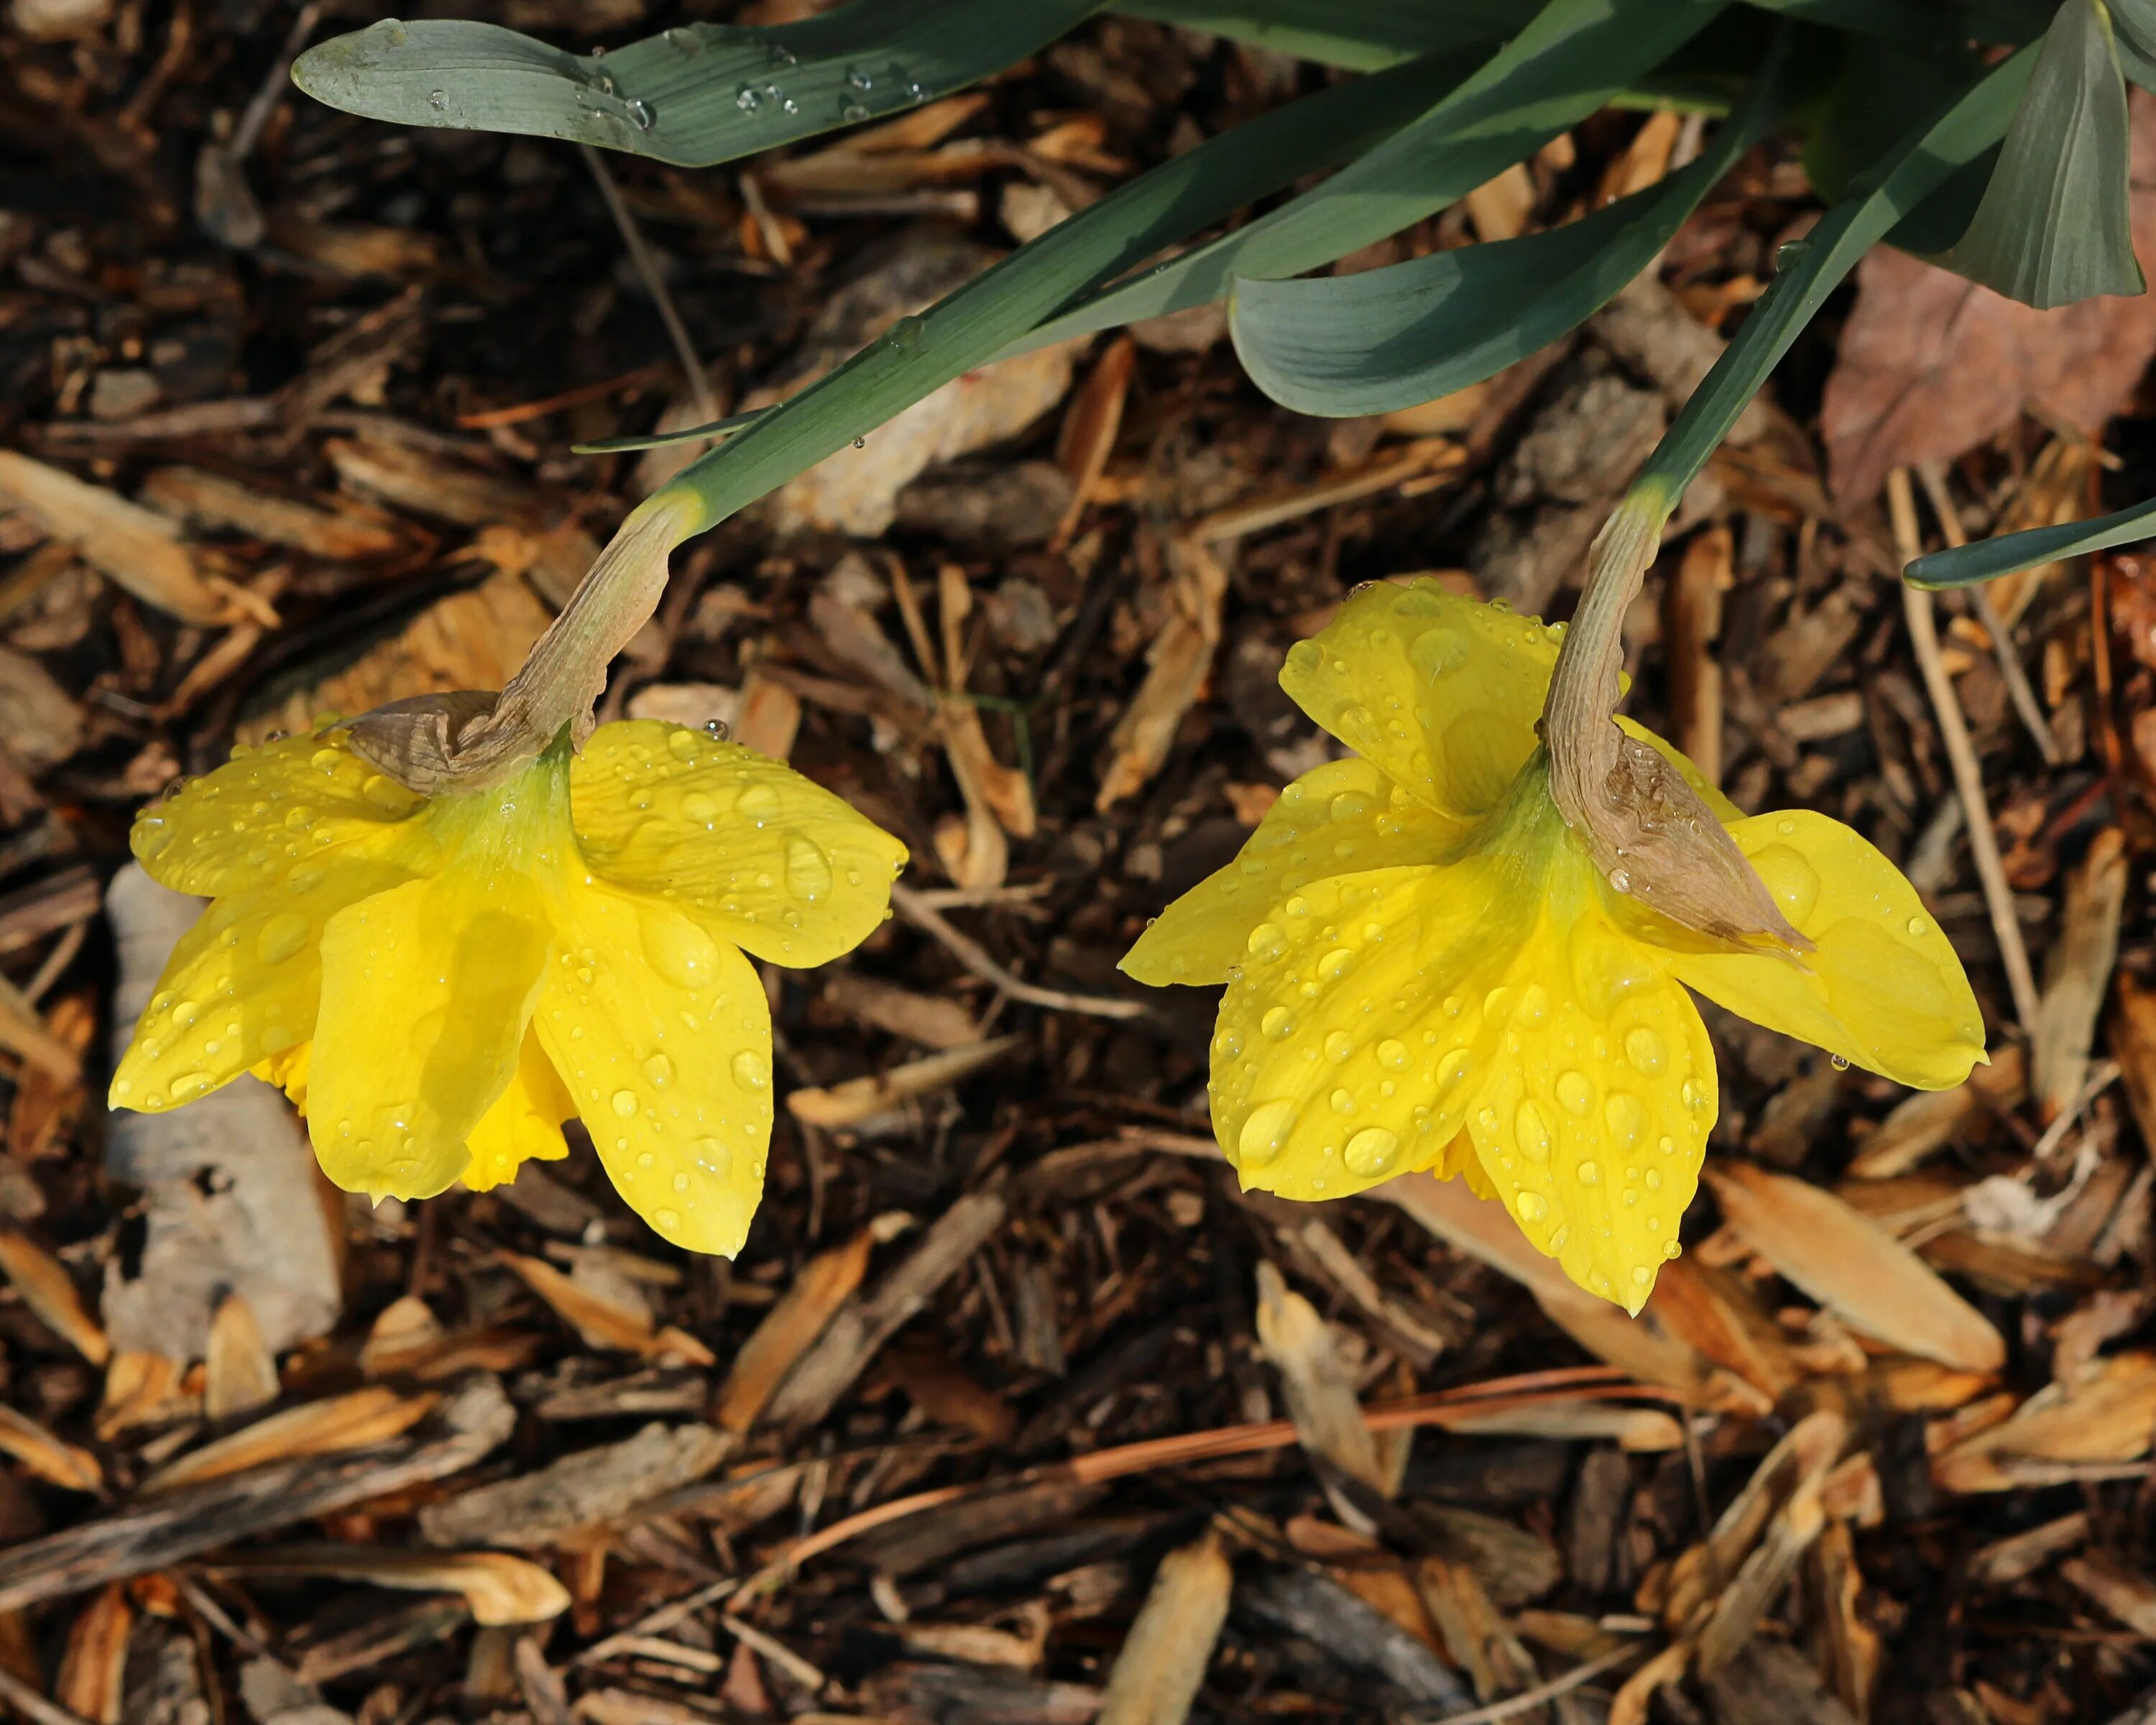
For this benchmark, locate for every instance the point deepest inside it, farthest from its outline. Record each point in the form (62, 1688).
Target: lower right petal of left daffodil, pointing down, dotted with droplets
(663, 1038)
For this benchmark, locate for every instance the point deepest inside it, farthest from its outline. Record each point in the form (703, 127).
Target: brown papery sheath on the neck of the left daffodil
(473, 739)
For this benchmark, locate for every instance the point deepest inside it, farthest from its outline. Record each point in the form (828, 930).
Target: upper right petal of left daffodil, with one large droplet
(794, 874)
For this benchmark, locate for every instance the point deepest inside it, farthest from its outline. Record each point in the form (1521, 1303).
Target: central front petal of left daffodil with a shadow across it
(426, 993)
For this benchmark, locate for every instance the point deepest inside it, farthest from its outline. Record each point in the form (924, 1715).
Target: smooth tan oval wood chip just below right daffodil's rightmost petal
(1853, 1267)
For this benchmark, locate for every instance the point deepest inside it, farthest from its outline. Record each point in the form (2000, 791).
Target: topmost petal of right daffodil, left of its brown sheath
(1441, 693)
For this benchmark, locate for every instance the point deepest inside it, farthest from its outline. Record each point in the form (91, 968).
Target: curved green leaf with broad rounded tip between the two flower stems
(1415, 331)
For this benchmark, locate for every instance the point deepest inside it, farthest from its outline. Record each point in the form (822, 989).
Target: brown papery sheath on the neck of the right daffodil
(1642, 820)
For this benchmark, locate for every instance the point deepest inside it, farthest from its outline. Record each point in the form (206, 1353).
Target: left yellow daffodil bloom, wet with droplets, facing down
(443, 982)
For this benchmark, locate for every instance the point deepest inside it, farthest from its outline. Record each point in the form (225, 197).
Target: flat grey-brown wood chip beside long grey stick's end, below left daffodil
(588, 1489)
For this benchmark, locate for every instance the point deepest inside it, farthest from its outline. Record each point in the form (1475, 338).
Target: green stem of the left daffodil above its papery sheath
(1101, 243)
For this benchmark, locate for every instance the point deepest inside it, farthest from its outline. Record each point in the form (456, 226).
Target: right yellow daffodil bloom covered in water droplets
(1426, 971)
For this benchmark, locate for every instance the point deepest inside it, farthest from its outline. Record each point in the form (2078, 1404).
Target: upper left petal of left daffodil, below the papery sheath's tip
(271, 812)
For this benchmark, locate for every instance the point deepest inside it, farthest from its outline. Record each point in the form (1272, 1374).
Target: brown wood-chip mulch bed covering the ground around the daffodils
(286, 422)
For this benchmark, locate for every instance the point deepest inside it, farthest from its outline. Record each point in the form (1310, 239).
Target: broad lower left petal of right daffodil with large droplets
(1353, 1040)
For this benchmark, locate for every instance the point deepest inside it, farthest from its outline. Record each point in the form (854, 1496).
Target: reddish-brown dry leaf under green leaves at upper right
(1933, 365)
